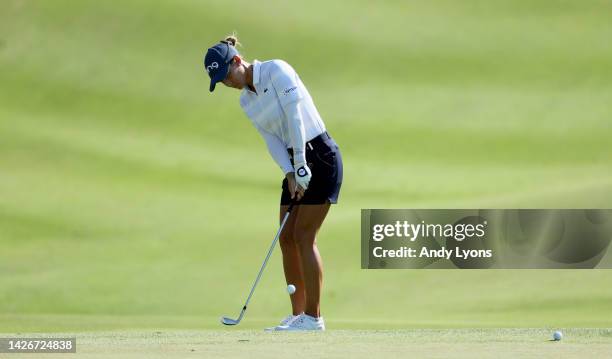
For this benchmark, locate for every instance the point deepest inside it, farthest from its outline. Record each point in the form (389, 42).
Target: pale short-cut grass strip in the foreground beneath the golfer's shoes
(466, 343)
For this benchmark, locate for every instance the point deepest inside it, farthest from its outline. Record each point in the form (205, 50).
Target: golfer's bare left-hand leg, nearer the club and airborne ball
(292, 262)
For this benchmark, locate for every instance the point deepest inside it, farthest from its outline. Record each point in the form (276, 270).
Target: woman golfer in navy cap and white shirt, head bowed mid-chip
(281, 109)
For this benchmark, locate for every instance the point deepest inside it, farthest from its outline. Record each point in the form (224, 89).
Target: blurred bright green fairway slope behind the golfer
(130, 197)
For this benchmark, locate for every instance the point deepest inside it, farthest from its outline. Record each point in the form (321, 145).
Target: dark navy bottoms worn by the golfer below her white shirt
(325, 162)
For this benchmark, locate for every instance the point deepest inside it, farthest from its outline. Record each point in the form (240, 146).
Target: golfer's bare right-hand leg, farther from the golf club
(308, 221)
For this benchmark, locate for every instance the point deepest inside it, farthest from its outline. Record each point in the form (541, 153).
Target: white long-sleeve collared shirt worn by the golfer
(282, 111)
